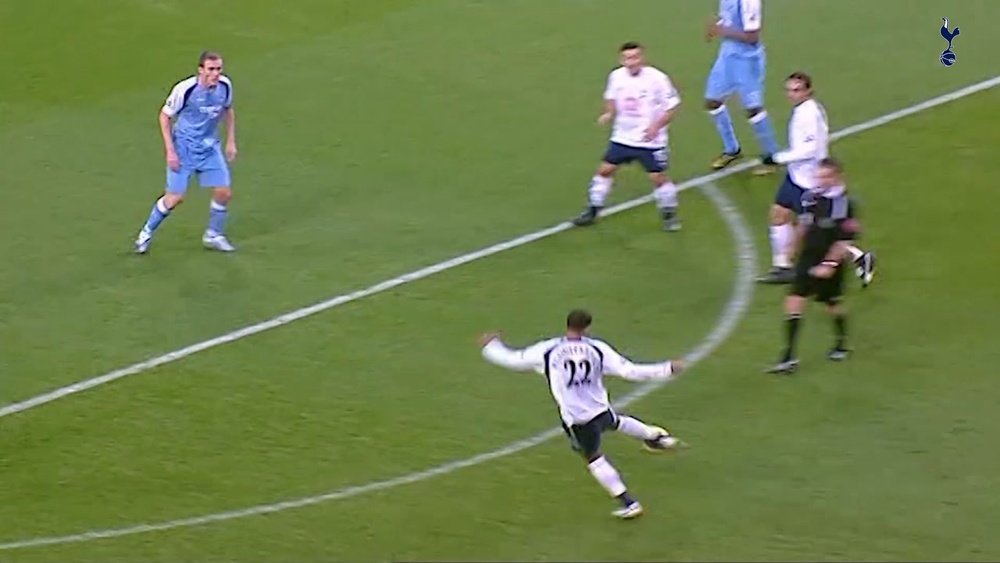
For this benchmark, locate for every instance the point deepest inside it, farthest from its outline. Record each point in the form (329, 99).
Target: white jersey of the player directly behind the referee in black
(808, 143)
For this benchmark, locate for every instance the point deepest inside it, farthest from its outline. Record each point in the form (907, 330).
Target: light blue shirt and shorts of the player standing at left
(197, 110)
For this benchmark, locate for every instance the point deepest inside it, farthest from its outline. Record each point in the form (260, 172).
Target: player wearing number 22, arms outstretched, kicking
(574, 366)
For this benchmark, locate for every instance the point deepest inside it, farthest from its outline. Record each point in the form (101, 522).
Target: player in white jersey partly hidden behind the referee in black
(808, 144)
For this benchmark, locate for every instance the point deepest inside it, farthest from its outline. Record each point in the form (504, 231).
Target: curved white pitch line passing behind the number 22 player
(731, 315)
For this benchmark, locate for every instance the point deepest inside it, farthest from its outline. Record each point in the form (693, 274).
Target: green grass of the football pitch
(379, 137)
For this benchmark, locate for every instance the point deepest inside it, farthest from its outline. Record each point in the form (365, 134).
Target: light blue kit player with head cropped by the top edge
(739, 68)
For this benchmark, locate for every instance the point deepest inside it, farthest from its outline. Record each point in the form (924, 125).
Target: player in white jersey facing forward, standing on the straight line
(641, 100)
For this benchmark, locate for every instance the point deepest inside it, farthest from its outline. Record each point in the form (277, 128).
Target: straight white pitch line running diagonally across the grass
(304, 312)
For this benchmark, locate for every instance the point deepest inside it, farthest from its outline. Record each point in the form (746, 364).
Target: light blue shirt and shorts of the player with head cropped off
(739, 67)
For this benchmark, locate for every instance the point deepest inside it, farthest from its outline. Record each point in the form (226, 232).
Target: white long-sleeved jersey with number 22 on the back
(575, 370)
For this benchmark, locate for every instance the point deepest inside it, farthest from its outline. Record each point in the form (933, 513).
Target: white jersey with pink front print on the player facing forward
(639, 101)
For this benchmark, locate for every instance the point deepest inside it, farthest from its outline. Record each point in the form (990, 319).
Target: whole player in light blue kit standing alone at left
(189, 123)
